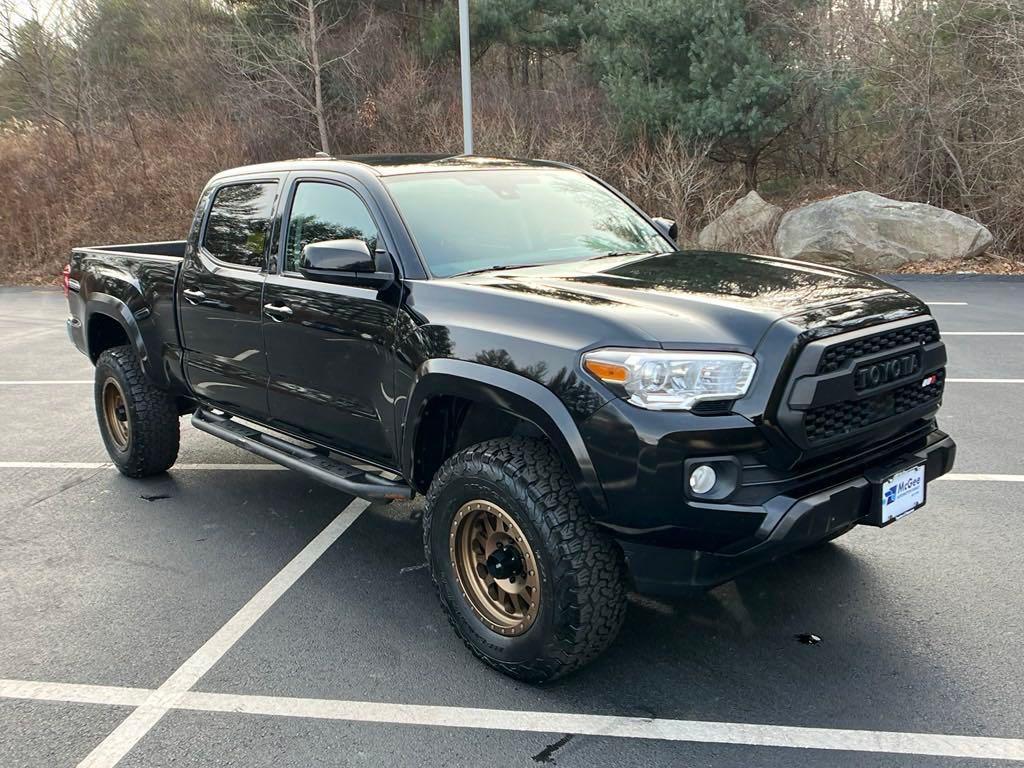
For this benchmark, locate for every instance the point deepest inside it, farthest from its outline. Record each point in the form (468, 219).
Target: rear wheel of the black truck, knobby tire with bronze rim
(150, 437)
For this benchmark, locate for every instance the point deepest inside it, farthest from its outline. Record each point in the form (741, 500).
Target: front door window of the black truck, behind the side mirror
(322, 211)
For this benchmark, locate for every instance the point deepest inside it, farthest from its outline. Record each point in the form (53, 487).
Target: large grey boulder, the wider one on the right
(868, 232)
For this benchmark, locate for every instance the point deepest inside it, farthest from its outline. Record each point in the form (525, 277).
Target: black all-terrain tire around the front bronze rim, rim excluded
(582, 572)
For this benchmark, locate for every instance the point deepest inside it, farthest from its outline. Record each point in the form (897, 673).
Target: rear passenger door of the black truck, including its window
(221, 296)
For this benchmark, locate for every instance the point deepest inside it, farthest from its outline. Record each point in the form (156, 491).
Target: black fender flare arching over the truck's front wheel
(517, 395)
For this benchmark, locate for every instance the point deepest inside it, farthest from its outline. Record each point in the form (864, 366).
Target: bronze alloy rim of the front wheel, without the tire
(496, 568)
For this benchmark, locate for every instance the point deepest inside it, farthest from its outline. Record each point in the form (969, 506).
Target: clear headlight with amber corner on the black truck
(672, 381)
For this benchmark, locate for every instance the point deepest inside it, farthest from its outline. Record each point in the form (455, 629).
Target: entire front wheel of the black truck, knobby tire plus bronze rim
(529, 582)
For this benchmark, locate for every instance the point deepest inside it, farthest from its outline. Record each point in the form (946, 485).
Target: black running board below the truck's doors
(315, 464)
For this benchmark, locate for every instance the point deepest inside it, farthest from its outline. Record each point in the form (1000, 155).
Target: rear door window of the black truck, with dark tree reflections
(240, 224)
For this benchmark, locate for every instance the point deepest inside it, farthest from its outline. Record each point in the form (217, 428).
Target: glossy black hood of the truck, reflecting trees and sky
(704, 297)
